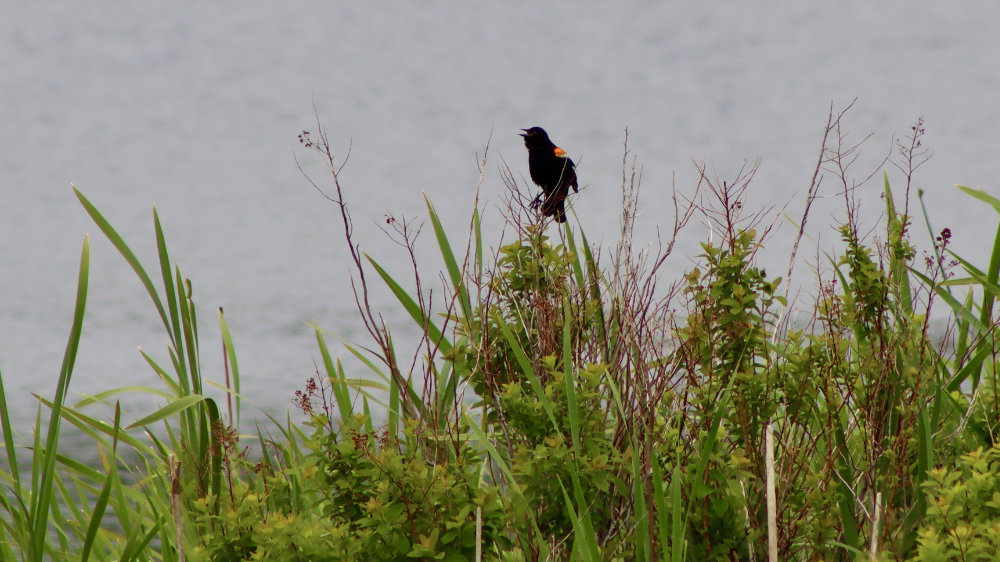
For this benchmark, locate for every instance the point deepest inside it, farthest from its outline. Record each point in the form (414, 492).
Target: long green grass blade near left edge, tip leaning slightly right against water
(42, 502)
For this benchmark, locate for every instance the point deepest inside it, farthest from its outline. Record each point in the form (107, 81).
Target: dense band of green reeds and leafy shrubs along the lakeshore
(559, 408)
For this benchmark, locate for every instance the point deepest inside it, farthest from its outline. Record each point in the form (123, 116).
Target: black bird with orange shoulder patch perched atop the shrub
(553, 171)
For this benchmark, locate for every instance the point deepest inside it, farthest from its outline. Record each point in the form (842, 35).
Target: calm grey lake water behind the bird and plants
(195, 108)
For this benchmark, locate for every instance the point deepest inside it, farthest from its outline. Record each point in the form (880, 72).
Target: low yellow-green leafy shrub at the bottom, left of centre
(356, 495)
